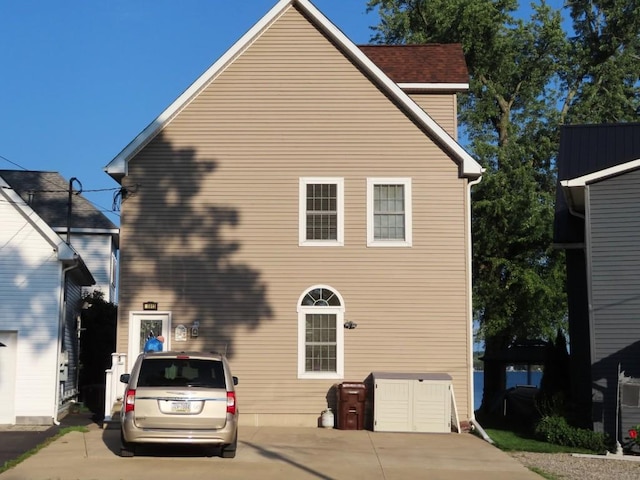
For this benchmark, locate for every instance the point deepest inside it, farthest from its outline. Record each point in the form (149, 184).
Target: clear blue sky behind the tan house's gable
(79, 79)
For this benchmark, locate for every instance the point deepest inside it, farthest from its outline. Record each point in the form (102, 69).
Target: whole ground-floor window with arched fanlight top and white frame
(320, 334)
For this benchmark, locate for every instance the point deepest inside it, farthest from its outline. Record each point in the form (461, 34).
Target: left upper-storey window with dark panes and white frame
(321, 211)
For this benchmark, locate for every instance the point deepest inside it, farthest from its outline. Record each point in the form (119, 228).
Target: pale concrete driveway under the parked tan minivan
(278, 453)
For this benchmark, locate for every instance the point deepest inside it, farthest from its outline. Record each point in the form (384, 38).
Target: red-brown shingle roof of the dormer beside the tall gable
(432, 63)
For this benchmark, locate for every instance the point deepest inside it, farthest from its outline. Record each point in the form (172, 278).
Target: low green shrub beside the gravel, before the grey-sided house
(555, 429)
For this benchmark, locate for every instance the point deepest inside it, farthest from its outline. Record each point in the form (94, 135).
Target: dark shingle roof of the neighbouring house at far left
(47, 193)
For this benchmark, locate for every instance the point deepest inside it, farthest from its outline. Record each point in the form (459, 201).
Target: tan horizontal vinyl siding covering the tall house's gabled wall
(215, 219)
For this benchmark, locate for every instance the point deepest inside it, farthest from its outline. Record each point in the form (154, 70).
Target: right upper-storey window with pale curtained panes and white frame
(389, 212)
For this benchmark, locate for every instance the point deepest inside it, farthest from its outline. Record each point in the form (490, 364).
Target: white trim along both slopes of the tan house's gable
(468, 166)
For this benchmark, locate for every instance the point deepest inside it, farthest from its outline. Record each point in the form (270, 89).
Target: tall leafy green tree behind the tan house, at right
(527, 77)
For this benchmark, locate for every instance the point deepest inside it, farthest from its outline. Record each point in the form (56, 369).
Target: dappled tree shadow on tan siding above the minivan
(178, 248)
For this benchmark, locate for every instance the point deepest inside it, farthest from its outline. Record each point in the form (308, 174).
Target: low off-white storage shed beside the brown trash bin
(411, 402)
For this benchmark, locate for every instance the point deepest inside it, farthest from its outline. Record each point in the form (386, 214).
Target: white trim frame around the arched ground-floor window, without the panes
(339, 313)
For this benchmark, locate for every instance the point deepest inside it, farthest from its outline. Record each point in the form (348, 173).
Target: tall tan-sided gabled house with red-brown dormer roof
(304, 207)
